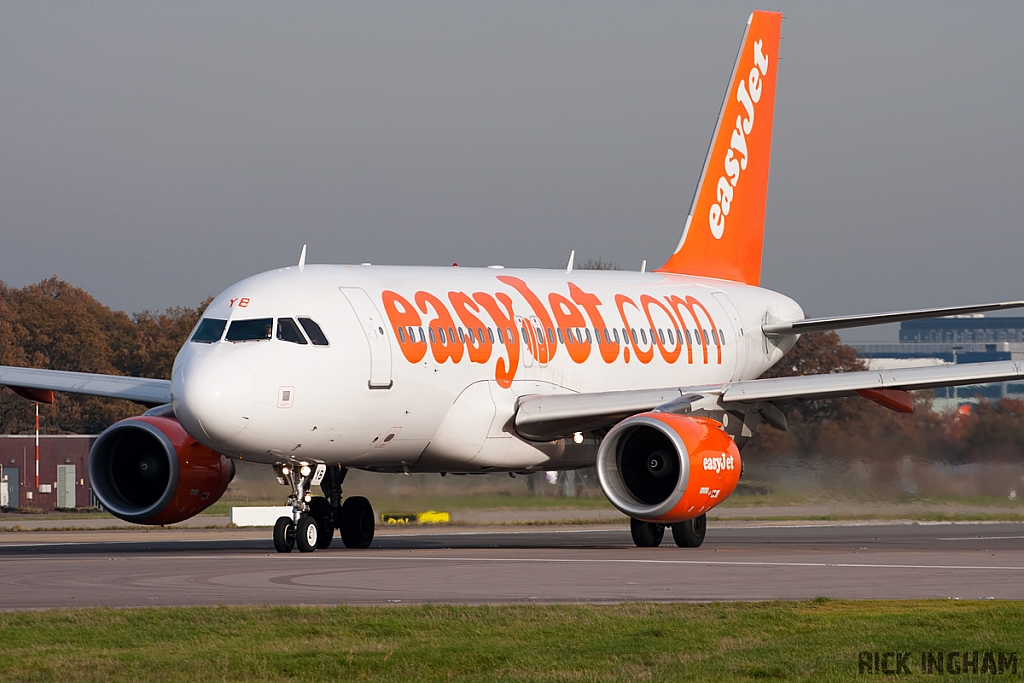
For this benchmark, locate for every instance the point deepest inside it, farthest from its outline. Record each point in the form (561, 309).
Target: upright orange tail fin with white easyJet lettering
(726, 230)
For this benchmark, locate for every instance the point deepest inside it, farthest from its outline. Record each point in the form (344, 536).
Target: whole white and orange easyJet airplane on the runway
(315, 370)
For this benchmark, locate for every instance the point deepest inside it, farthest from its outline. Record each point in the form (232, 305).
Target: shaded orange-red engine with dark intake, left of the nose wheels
(149, 471)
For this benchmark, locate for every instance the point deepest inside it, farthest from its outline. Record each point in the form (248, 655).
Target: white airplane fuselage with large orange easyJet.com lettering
(378, 398)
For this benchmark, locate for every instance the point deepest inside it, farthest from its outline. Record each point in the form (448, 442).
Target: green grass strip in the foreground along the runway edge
(818, 641)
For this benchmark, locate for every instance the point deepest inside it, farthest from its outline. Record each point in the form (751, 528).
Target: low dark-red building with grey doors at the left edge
(64, 478)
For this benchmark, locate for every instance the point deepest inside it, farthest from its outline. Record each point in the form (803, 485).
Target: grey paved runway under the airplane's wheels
(471, 567)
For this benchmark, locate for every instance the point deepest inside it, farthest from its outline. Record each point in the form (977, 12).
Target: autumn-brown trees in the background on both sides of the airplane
(57, 326)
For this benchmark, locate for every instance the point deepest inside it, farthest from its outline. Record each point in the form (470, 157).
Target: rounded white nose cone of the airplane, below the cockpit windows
(214, 398)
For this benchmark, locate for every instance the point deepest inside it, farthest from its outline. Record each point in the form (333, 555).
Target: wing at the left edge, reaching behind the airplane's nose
(39, 386)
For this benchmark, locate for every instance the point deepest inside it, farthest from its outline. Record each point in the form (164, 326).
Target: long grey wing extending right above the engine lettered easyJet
(560, 416)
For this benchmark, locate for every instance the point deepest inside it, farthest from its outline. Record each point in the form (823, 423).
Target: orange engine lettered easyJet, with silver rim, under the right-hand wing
(668, 468)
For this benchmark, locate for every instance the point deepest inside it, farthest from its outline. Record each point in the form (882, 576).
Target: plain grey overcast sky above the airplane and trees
(155, 153)
